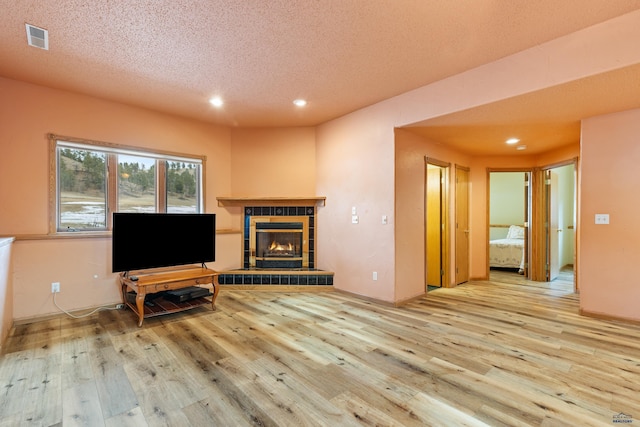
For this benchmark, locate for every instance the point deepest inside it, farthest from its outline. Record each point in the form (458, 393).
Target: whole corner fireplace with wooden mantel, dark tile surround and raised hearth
(278, 244)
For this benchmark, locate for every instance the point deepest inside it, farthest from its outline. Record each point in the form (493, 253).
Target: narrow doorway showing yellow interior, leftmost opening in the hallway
(436, 224)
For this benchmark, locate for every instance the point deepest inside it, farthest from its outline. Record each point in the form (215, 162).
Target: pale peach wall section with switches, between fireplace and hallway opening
(355, 170)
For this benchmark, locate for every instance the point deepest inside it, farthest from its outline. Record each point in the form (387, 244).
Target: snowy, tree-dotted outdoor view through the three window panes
(83, 184)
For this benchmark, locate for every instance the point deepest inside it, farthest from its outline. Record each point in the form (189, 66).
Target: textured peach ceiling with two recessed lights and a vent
(259, 56)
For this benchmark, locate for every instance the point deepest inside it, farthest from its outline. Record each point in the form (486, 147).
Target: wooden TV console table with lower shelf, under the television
(167, 280)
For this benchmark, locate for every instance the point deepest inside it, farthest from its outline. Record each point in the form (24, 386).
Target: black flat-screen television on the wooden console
(151, 240)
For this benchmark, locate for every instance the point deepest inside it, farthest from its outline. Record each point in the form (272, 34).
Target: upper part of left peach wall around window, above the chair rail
(30, 112)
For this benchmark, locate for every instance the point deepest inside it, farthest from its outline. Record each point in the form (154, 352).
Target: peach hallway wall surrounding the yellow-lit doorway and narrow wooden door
(410, 152)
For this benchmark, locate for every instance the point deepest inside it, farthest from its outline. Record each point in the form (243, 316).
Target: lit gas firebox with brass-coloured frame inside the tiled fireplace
(279, 245)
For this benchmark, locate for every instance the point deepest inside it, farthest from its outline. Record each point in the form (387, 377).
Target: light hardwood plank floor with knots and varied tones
(502, 352)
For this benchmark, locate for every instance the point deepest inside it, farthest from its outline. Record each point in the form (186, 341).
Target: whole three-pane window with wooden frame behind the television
(85, 193)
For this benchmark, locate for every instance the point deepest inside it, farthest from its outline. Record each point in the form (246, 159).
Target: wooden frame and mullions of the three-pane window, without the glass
(112, 150)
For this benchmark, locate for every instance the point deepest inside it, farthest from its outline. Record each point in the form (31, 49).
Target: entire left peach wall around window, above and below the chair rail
(82, 266)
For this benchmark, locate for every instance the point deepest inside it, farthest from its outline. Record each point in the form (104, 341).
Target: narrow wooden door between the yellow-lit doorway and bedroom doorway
(462, 225)
